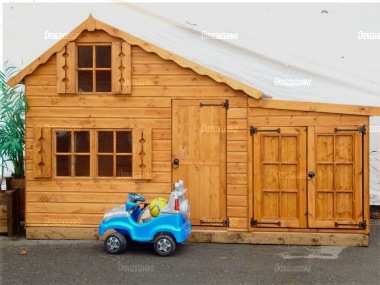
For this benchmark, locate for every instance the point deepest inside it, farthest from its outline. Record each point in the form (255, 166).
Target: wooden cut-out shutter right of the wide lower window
(142, 154)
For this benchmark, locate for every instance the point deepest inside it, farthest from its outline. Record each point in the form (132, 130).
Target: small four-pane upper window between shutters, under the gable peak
(94, 68)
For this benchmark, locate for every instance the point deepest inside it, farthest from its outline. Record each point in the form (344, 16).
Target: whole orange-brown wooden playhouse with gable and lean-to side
(110, 114)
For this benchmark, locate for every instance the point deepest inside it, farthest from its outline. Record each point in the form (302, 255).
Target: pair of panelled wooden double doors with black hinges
(308, 177)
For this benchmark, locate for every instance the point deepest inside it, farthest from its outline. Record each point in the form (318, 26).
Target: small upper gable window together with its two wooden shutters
(94, 64)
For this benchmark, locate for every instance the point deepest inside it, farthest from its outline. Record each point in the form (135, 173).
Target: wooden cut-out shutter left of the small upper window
(66, 69)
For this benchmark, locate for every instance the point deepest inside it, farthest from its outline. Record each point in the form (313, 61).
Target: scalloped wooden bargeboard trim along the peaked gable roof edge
(92, 24)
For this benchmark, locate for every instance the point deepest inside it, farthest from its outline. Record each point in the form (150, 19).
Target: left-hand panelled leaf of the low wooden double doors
(279, 177)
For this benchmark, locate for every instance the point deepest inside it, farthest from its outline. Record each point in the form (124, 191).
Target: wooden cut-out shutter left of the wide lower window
(42, 153)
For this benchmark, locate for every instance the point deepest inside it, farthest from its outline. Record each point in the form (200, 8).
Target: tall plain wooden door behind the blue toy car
(199, 143)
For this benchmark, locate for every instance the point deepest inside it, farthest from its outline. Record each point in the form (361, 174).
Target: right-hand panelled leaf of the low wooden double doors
(335, 193)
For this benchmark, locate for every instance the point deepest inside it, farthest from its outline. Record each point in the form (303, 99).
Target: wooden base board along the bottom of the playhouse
(217, 236)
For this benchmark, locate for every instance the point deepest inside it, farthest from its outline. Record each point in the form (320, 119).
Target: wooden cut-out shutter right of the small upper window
(121, 68)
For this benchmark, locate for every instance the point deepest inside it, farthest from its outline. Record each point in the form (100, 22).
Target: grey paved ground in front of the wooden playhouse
(85, 262)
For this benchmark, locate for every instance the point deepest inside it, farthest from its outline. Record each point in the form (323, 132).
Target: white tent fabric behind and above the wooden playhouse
(302, 52)
